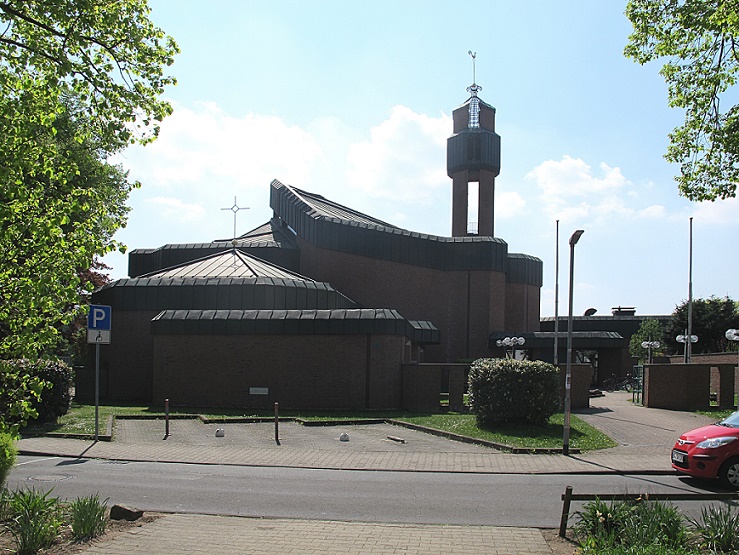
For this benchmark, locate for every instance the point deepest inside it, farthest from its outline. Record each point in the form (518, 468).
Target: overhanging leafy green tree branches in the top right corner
(698, 40)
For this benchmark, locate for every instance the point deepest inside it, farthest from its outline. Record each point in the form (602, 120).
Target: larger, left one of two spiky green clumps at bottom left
(35, 519)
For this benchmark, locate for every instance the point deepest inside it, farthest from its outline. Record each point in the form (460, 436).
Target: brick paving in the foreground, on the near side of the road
(206, 535)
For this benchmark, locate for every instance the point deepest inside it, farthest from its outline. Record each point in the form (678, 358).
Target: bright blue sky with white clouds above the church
(353, 101)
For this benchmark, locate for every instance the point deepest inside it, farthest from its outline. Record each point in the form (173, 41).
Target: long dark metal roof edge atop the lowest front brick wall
(292, 322)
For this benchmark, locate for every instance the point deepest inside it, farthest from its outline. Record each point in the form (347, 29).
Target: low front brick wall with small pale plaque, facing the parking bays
(322, 371)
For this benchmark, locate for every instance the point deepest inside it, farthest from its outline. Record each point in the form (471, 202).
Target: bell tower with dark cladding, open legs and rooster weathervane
(473, 155)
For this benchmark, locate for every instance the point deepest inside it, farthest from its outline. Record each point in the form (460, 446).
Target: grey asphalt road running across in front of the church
(402, 497)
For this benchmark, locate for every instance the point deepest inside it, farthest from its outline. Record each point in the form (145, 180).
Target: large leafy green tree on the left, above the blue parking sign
(79, 80)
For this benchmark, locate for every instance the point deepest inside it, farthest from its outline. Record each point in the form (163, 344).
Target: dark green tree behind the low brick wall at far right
(711, 318)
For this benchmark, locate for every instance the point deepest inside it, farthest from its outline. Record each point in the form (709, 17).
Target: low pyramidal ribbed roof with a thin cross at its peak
(227, 264)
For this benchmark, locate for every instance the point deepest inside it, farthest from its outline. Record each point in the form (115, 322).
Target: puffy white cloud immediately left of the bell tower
(404, 159)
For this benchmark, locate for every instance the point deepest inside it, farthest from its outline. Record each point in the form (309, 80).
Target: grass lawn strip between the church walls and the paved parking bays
(81, 420)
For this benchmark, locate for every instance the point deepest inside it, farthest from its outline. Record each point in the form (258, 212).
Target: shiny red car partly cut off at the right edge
(710, 452)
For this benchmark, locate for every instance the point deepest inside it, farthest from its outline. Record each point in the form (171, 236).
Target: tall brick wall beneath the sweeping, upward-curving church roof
(443, 297)
